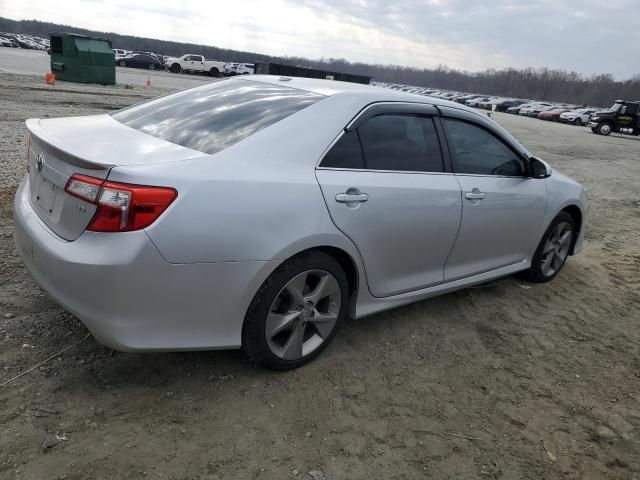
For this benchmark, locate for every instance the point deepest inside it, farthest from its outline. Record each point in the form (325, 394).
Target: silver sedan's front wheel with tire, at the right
(553, 250)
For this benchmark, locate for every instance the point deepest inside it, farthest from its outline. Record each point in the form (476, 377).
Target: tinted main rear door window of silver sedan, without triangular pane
(401, 143)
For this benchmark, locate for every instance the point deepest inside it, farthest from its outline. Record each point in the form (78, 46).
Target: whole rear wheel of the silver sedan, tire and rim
(295, 313)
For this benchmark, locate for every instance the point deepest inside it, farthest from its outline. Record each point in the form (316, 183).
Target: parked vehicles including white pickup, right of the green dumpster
(189, 63)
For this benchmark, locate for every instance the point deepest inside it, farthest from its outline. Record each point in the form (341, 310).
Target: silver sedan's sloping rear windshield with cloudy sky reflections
(214, 116)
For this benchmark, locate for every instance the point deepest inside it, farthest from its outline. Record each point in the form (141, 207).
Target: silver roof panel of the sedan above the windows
(370, 92)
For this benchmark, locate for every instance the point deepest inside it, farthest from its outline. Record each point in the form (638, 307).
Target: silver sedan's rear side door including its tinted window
(387, 188)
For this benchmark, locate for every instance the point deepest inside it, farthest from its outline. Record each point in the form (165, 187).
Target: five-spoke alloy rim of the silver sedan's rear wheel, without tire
(303, 314)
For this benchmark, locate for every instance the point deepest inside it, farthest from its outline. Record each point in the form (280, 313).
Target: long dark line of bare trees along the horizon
(528, 83)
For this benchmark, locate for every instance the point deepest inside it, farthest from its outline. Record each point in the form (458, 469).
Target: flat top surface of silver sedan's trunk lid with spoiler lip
(100, 140)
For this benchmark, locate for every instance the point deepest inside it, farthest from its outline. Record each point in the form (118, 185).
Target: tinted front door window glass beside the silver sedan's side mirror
(476, 151)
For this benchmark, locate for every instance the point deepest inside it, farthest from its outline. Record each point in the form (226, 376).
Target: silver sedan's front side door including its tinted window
(502, 206)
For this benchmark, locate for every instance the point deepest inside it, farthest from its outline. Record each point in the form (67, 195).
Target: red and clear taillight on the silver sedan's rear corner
(122, 207)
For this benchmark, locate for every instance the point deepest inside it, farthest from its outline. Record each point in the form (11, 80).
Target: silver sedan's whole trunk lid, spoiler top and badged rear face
(91, 146)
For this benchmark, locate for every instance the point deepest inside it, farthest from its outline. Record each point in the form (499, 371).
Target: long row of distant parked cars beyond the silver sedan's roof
(556, 112)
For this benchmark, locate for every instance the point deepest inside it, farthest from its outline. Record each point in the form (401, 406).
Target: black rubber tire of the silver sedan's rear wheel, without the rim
(254, 341)
